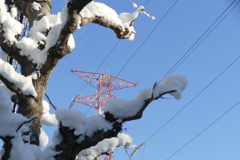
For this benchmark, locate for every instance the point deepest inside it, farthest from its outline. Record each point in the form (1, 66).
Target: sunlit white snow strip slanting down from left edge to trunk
(22, 82)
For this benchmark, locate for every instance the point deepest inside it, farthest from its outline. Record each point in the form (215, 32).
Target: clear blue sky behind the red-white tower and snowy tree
(157, 47)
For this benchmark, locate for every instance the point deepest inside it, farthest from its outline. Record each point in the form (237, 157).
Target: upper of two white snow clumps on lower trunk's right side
(47, 118)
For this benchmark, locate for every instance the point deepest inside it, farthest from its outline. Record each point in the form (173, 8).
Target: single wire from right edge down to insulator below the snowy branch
(194, 98)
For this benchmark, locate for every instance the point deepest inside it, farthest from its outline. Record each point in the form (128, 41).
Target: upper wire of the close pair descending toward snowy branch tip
(200, 37)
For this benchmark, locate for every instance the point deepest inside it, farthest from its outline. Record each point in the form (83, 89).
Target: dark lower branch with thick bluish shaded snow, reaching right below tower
(77, 133)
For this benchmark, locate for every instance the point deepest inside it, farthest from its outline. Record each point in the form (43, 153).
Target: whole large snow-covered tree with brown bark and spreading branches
(37, 40)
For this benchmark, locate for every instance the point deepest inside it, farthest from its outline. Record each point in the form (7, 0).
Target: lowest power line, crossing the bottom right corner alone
(204, 130)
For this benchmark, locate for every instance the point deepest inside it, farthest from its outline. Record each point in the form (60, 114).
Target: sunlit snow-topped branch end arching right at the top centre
(121, 24)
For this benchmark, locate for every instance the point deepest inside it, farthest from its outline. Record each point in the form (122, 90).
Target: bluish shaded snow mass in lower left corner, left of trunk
(9, 124)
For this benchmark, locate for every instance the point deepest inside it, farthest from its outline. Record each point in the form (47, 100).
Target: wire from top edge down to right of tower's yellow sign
(147, 38)
